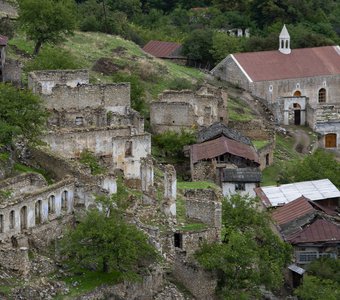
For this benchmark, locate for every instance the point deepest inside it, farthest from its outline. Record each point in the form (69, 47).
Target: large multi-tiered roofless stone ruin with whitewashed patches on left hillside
(98, 118)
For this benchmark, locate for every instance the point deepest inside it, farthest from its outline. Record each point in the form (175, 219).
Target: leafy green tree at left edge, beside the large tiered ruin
(21, 115)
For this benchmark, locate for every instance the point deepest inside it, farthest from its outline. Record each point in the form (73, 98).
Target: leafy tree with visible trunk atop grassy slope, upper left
(46, 21)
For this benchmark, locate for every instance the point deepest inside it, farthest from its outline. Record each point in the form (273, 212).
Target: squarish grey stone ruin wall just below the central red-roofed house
(204, 205)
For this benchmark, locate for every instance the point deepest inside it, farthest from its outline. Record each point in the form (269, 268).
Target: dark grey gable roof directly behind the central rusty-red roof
(218, 129)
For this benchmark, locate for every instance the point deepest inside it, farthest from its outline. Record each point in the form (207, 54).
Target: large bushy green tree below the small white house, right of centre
(250, 254)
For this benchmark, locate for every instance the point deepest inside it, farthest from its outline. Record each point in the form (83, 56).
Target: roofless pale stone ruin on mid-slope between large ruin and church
(177, 110)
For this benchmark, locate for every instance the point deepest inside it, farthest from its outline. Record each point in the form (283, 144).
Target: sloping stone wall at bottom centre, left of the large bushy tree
(200, 283)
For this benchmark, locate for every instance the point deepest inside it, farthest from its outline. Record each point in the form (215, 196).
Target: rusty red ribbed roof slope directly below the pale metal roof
(292, 211)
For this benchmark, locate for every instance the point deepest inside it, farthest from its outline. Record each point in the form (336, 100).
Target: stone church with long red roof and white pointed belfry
(300, 86)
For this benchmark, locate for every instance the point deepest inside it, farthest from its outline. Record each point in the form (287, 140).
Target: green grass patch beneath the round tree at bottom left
(87, 281)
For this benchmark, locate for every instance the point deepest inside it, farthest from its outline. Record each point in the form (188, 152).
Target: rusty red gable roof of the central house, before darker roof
(222, 145)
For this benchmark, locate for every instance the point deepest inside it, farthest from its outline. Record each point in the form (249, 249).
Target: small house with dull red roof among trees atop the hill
(166, 50)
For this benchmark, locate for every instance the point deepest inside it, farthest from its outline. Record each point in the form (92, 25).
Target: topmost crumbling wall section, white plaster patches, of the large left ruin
(44, 81)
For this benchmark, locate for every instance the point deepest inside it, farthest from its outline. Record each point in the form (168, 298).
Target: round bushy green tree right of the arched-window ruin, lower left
(104, 240)
